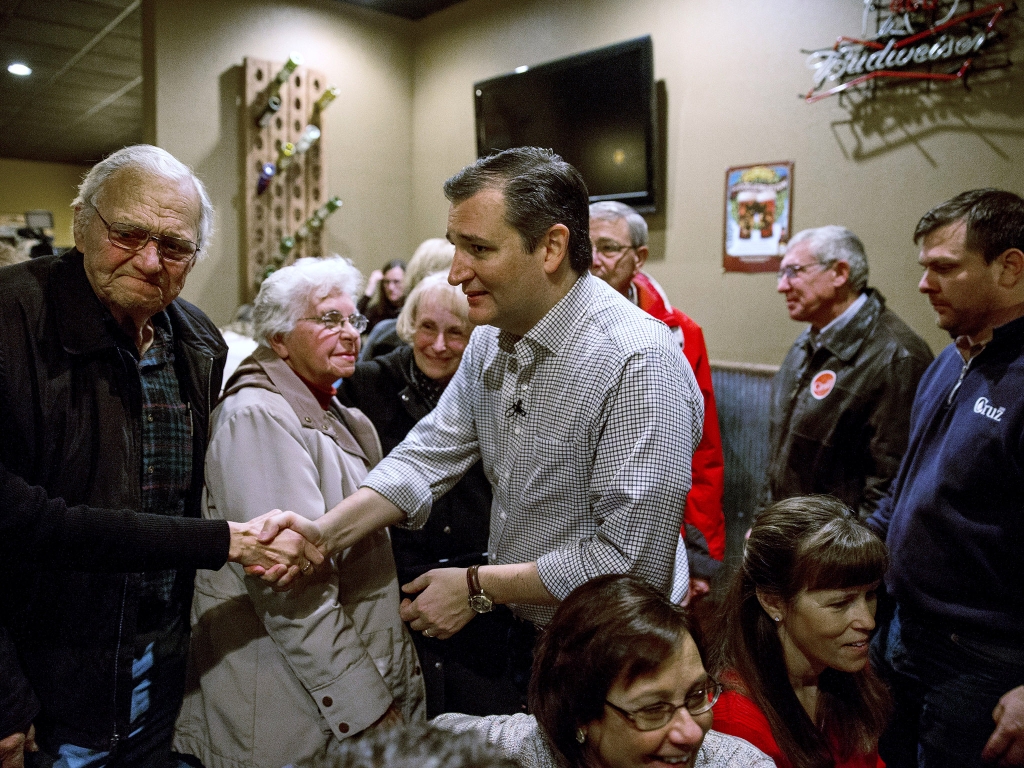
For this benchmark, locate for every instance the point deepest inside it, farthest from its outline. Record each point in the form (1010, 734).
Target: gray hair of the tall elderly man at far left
(150, 160)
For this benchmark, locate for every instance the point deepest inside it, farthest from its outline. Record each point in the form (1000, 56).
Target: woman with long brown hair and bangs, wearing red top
(793, 642)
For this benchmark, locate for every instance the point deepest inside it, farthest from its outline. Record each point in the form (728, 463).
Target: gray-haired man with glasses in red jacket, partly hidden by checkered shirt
(619, 237)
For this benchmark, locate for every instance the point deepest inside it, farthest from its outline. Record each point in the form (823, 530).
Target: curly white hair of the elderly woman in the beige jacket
(285, 295)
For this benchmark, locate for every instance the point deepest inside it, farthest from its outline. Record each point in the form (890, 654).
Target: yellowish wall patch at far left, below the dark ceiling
(29, 186)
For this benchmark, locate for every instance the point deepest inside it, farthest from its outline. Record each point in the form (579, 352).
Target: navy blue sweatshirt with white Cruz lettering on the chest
(955, 517)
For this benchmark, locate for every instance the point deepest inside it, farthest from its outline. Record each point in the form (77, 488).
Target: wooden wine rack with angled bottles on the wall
(294, 195)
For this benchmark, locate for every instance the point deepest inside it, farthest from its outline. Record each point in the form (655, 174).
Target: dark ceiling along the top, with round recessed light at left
(84, 98)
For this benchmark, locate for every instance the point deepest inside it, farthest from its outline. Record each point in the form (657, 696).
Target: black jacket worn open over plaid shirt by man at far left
(71, 410)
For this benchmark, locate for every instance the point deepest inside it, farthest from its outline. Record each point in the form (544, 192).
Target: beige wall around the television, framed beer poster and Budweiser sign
(733, 73)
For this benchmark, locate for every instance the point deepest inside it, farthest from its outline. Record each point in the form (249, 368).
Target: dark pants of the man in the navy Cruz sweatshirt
(946, 687)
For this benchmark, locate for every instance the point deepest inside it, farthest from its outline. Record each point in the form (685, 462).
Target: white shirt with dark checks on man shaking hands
(586, 426)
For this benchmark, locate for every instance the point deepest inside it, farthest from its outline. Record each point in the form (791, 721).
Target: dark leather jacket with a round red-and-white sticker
(841, 411)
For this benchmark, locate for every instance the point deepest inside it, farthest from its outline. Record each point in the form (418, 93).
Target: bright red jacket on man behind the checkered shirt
(704, 503)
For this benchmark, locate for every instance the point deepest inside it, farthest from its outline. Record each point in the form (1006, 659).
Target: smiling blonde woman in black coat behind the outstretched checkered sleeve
(396, 391)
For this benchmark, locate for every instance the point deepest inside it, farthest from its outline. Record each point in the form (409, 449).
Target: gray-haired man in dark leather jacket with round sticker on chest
(841, 402)
